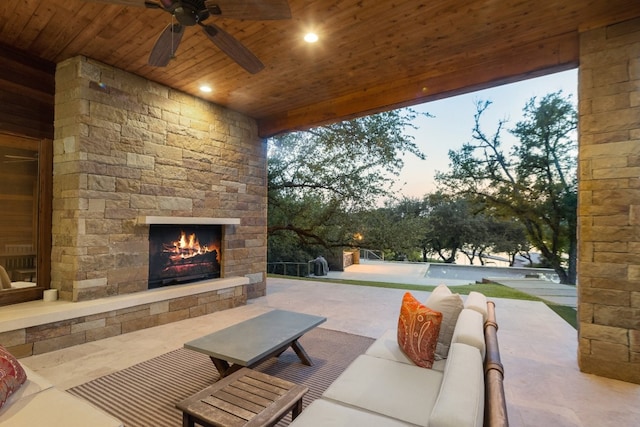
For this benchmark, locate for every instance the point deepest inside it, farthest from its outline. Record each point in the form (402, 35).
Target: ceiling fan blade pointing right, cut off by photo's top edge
(258, 10)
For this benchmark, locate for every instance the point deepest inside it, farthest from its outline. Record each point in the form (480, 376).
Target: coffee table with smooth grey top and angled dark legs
(248, 343)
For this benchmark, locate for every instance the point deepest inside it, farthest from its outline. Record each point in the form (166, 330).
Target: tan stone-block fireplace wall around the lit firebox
(126, 147)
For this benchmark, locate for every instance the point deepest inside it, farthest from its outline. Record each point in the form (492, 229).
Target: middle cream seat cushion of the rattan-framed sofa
(396, 390)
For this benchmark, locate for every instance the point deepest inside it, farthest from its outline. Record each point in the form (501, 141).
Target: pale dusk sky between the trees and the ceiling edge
(453, 122)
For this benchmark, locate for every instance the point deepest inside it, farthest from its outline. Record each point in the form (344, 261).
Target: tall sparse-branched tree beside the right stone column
(536, 183)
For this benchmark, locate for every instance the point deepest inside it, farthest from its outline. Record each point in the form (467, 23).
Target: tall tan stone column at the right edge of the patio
(609, 202)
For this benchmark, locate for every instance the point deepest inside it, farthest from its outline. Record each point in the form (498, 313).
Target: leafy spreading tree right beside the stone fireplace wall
(319, 180)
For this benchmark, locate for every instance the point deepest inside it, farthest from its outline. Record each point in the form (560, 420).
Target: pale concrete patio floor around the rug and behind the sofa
(543, 384)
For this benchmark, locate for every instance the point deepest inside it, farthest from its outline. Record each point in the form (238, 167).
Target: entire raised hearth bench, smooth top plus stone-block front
(79, 323)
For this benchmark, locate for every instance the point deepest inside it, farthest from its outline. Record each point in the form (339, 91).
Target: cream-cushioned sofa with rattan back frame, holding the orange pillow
(383, 387)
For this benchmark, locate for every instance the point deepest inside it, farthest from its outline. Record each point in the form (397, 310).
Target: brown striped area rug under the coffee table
(144, 395)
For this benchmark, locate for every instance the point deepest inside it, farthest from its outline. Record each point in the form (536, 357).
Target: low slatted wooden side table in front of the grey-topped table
(244, 398)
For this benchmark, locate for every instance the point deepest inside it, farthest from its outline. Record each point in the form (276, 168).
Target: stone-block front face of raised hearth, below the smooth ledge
(52, 336)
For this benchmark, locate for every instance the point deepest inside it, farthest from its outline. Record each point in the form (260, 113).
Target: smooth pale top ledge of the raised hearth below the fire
(34, 313)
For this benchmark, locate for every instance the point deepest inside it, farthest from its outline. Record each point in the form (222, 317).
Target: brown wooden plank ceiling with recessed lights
(372, 54)
